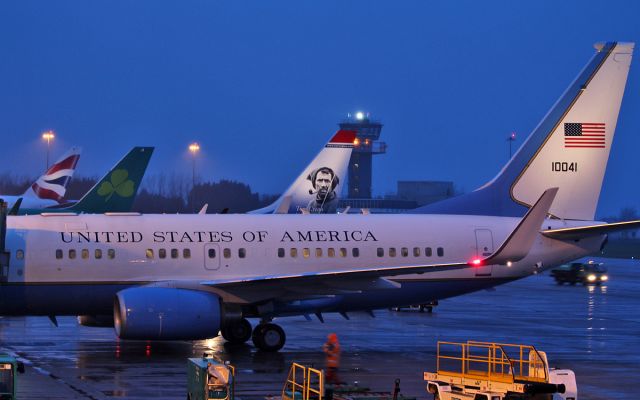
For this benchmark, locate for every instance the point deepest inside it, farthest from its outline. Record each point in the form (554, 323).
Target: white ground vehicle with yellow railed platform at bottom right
(497, 371)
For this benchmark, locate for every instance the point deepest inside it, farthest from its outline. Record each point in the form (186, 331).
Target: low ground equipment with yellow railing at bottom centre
(304, 383)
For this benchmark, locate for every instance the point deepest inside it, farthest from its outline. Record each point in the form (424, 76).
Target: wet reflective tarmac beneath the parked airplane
(593, 330)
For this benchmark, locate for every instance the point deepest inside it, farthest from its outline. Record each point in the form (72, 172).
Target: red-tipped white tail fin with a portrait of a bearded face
(317, 189)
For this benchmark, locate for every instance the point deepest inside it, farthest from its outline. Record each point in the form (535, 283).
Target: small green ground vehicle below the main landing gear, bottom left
(209, 379)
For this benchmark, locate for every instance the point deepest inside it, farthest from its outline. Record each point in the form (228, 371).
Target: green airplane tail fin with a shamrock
(116, 191)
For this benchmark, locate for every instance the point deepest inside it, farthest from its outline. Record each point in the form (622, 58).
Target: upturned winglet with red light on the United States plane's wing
(517, 245)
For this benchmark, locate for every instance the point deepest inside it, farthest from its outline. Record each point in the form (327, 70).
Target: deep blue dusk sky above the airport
(261, 85)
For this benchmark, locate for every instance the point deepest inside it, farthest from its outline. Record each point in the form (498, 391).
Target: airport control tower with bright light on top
(366, 145)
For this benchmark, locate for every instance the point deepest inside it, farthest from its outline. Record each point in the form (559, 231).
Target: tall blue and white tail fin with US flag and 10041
(568, 149)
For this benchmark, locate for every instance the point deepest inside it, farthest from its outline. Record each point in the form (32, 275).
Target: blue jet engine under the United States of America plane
(155, 313)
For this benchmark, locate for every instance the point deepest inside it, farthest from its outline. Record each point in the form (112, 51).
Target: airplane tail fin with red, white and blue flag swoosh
(53, 184)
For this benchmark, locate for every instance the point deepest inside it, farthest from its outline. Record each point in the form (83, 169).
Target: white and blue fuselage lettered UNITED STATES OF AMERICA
(55, 270)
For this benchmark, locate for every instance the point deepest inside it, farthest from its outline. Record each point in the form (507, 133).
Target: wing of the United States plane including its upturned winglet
(259, 288)
